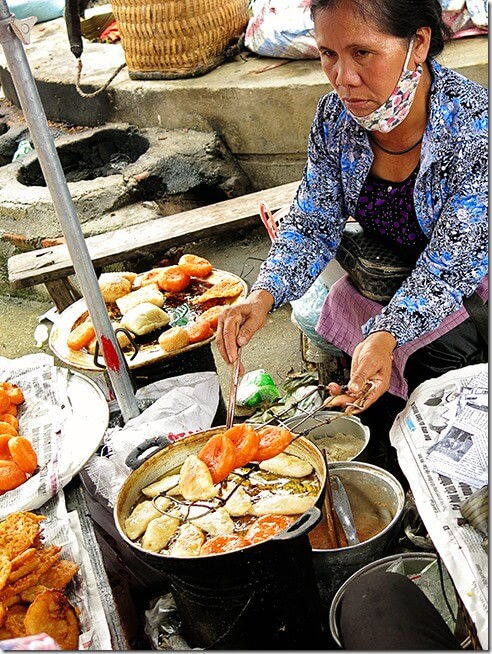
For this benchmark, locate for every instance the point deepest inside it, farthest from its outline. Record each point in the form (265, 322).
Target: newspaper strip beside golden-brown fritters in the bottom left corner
(64, 529)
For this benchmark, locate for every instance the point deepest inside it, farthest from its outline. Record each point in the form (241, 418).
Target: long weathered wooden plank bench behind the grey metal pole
(41, 266)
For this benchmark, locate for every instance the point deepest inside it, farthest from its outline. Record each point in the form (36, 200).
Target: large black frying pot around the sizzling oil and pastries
(263, 596)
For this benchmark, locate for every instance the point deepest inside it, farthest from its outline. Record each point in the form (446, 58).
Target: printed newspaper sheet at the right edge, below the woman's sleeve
(441, 438)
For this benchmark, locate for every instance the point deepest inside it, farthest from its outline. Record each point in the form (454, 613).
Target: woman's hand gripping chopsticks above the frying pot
(239, 322)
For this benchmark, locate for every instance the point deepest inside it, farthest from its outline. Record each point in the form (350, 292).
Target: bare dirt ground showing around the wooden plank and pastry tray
(275, 348)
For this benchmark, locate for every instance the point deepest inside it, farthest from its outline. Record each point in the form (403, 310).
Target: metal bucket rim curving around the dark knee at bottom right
(413, 564)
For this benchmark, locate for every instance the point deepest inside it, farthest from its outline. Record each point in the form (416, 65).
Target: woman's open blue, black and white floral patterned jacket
(450, 196)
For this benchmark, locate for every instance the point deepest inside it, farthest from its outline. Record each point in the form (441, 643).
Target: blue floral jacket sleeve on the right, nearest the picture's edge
(455, 191)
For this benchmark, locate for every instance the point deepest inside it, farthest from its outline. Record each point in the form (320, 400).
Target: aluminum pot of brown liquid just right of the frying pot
(377, 500)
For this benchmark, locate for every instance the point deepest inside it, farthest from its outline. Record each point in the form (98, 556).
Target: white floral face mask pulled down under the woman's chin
(397, 107)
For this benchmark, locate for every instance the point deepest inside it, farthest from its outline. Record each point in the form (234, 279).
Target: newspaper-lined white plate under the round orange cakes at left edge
(64, 415)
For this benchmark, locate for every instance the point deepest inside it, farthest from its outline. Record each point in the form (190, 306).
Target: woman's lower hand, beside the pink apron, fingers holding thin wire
(372, 361)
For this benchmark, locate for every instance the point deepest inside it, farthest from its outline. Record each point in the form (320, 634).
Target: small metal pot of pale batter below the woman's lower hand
(321, 433)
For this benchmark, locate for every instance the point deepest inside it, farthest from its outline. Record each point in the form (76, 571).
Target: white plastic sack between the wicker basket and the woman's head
(281, 28)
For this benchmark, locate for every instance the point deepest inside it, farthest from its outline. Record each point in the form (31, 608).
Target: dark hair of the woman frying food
(400, 18)
